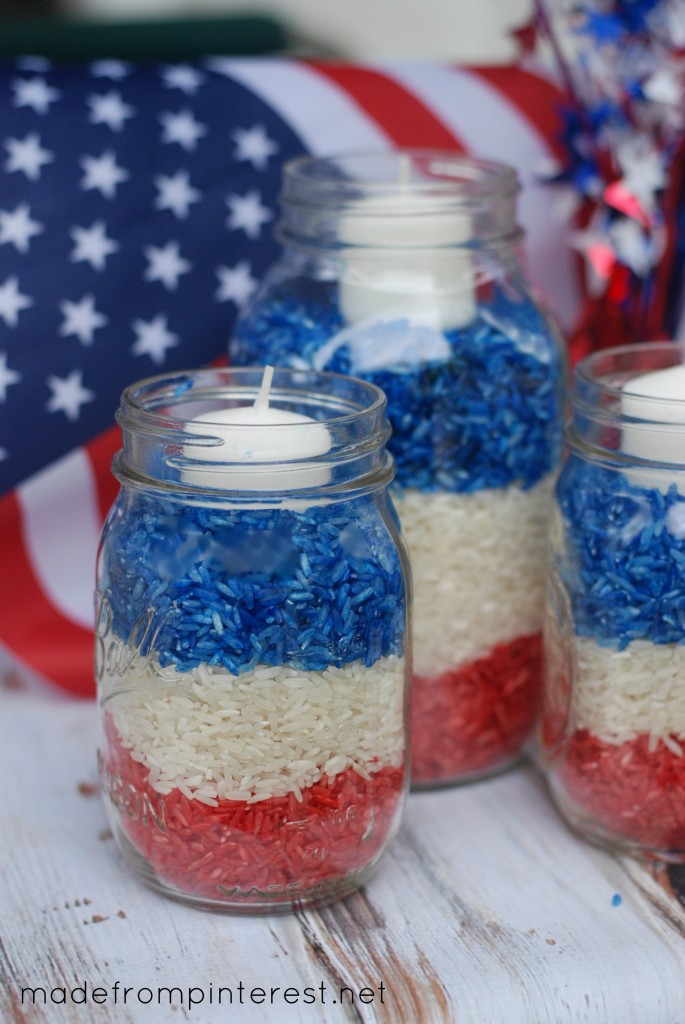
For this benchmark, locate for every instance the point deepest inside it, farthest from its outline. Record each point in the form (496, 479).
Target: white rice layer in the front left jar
(265, 734)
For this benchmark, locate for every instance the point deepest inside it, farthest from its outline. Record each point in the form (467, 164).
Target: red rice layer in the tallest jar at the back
(477, 718)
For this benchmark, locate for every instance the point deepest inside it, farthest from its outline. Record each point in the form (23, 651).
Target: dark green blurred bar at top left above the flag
(184, 39)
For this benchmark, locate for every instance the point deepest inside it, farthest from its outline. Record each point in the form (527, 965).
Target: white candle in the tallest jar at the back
(410, 262)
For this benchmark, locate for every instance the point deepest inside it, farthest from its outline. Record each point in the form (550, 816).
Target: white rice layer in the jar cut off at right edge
(618, 696)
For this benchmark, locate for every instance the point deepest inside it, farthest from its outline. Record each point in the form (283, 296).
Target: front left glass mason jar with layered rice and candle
(252, 655)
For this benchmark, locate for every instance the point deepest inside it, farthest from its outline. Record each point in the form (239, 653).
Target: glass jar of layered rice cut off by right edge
(613, 729)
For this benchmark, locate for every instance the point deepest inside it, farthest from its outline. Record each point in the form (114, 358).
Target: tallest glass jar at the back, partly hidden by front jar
(403, 270)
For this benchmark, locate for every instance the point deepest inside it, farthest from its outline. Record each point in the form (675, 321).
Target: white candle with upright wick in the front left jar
(260, 438)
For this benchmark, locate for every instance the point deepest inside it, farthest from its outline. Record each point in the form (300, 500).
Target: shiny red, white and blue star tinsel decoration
(622, 64)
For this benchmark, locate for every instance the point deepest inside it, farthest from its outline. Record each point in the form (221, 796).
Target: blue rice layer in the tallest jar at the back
(488, 417)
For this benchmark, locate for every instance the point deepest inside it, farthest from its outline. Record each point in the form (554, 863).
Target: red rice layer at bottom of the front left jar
(242, 852)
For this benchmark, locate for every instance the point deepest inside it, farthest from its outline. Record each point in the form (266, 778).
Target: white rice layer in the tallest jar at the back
(478, 567)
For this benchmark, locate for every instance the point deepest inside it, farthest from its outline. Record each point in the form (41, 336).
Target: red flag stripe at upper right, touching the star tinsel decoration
(539, 101)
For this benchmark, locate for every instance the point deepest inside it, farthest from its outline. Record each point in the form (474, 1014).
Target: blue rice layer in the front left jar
(240, 588)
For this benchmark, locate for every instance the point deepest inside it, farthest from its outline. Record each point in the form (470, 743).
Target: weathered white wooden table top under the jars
(486, 912)
